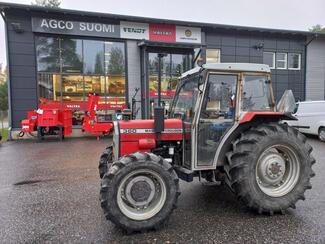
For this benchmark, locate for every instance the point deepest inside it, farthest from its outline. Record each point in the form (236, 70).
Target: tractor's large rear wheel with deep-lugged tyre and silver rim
(270, 167)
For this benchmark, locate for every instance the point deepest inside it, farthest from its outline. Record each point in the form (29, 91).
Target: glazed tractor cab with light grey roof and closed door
(212, 99)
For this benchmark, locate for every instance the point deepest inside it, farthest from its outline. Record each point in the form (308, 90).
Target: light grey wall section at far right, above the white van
(315, 70)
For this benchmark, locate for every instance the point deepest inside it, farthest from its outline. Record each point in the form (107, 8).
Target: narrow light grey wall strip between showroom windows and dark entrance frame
(134, 72)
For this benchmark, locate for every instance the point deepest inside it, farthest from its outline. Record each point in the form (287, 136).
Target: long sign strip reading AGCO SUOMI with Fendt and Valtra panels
(127, 30)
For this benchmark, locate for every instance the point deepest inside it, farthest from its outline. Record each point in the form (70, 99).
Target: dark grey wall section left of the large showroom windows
(22, 67)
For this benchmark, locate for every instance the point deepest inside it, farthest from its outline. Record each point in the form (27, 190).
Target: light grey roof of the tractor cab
(243, 67)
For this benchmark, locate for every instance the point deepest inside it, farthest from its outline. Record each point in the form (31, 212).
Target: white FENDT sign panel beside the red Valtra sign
(133, 30)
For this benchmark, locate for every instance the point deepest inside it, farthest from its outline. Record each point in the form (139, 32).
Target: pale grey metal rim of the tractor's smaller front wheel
(141, 194)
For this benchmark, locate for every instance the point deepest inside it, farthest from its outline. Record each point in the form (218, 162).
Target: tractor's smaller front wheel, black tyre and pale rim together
(139, 192)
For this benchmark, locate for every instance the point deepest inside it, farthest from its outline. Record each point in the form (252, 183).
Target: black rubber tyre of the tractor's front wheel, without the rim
(118, 173)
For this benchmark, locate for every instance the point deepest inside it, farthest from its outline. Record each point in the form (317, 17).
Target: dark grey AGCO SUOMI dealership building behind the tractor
(59, 55)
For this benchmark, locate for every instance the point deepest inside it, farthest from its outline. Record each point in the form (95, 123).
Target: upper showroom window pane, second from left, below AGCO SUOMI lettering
(71, 55)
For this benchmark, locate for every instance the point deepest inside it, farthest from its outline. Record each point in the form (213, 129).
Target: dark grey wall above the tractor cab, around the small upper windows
(239, 47)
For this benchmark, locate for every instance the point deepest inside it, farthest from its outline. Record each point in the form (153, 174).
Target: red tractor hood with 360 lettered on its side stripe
(139, 135)
